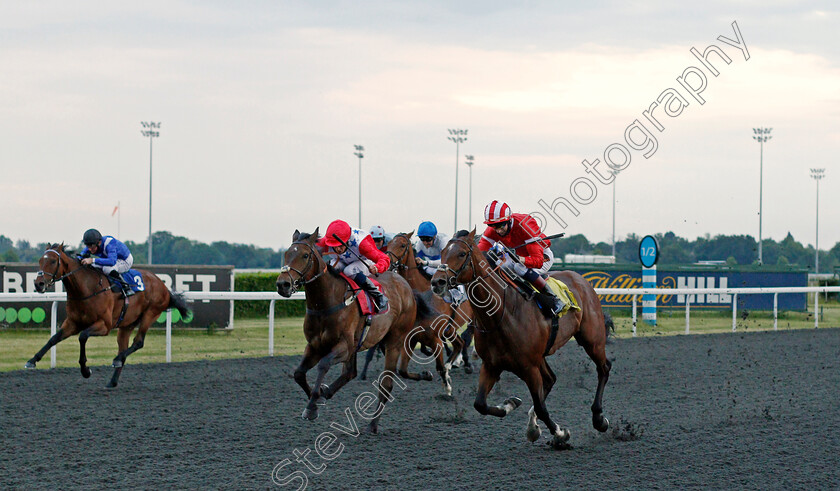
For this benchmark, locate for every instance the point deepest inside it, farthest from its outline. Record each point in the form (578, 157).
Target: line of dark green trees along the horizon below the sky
(734, 249)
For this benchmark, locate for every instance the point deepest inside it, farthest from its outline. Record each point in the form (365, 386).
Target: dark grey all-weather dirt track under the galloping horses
(756, 410)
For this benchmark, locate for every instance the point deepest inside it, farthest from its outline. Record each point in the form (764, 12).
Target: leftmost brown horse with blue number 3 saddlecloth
(94, 309)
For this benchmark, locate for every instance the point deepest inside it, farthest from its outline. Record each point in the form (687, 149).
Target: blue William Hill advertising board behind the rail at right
(628, 276)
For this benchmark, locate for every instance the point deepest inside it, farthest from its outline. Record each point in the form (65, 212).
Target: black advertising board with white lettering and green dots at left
(20, 278)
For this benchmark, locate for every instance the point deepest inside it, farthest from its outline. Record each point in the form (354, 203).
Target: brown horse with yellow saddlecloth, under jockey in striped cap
(512, 334)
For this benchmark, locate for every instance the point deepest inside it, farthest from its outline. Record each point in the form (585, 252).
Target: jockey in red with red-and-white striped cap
(520, 232)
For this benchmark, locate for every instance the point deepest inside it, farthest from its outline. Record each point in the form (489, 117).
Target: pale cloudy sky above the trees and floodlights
(262, 102)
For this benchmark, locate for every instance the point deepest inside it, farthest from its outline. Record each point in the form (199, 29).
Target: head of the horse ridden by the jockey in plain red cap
(302, 263)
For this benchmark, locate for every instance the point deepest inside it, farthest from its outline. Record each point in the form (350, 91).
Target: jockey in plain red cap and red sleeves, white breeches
(356, 256)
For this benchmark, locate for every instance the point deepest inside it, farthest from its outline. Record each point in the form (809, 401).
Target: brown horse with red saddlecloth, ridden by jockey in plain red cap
(334, 326)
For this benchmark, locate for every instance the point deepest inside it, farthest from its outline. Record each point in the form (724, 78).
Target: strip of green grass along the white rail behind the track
(250, 337)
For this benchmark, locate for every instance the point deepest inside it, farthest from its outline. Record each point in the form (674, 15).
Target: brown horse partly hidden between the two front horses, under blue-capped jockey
(441, 329)
